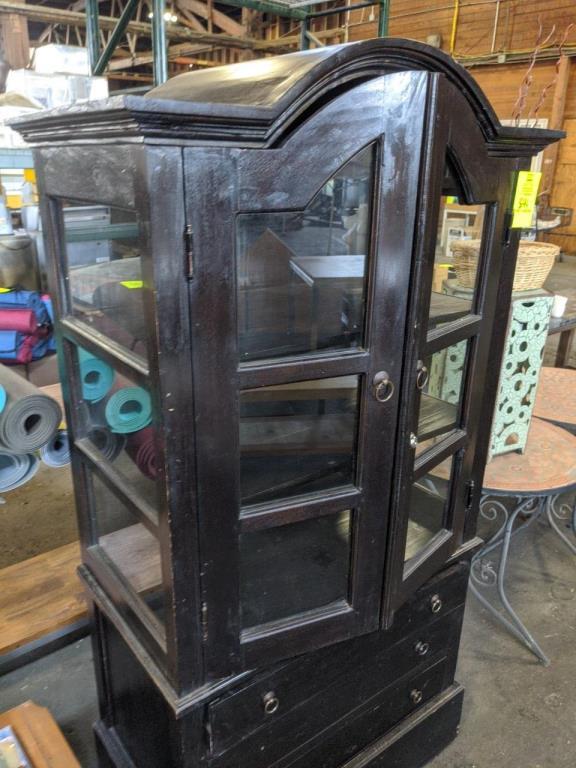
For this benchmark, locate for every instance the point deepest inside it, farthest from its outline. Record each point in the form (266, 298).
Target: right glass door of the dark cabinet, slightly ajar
(433, 482)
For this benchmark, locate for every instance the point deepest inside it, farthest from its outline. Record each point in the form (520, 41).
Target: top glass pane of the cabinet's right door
(457, 251)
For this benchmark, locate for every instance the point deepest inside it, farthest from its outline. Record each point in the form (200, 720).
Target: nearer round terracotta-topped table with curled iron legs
(533, 482)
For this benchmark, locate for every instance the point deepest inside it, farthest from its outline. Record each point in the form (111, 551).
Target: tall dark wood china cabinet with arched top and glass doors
(279, 415)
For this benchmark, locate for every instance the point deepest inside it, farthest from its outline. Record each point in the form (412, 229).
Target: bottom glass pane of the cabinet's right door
(427, 508)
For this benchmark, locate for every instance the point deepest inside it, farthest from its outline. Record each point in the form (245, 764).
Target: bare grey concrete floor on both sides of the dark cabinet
(518, 714)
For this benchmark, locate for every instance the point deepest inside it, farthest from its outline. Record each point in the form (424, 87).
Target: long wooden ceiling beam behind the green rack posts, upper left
(77, 19)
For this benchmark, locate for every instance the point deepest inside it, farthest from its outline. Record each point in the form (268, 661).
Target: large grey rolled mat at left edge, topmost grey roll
(30, 419)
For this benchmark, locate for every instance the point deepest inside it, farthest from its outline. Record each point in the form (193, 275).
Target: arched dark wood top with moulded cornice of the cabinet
(255, 103)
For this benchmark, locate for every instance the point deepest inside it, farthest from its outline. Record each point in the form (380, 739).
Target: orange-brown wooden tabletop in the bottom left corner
(39, 736)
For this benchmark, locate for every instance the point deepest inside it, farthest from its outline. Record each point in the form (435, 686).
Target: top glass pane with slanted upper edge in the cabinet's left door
(301, 276)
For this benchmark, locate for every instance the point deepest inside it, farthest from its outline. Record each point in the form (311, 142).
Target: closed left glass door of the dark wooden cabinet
(316, 312)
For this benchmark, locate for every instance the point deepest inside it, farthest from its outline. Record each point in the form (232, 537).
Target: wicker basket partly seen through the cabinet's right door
(535, 260)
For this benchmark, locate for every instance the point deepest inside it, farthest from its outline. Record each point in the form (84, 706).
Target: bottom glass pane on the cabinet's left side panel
(132, 549)
